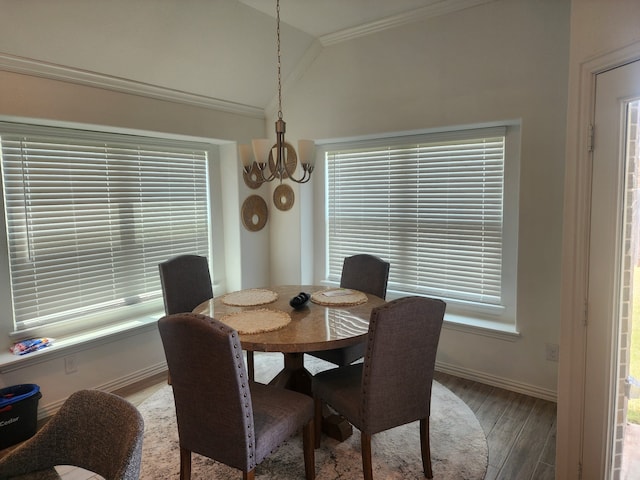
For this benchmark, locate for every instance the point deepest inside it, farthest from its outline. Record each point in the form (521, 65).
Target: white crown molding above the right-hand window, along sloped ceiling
(442, 7)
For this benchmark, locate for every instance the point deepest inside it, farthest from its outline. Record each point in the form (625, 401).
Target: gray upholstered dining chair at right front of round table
(393, 385)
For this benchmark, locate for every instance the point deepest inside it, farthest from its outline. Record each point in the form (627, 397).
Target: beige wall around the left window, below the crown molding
(120, 359)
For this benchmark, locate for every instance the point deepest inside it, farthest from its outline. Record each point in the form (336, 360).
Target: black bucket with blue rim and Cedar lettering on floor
(18, 413)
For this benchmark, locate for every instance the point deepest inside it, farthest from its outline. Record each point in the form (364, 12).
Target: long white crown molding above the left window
(28, 66)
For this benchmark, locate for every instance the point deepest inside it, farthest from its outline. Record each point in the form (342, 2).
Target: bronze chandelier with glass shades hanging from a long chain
(268, 161)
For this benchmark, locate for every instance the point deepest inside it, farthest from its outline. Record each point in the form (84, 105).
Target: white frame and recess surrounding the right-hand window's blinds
(503, 319)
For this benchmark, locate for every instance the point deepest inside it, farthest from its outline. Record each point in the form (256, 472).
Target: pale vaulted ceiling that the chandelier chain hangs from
(218, 49)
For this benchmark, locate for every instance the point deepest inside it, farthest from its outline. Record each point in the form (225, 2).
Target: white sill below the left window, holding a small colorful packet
(80, 341)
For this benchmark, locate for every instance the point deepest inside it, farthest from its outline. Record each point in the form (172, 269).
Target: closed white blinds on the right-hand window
(433, 208)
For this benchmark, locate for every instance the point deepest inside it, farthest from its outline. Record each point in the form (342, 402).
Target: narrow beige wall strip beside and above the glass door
(600, 29)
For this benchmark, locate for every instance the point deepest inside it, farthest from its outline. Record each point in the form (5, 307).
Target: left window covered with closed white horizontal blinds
(90, 215)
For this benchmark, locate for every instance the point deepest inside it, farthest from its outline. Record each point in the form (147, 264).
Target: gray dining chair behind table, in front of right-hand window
(368, 274)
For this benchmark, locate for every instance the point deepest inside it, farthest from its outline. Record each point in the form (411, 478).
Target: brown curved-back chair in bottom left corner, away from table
(94, 430)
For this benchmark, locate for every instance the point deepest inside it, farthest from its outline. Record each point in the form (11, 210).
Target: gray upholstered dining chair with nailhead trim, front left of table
(220, 414)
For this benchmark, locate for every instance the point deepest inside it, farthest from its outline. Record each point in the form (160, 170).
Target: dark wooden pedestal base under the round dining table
(295, 377)
